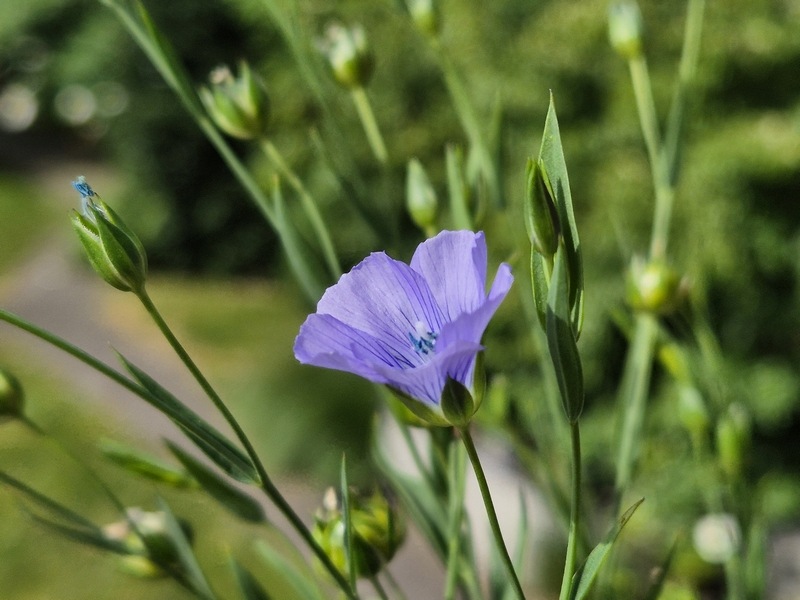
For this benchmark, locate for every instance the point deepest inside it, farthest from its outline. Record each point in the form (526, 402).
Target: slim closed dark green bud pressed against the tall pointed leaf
(541, 218)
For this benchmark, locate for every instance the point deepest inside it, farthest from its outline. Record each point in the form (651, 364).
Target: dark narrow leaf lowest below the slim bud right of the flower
(561, 342)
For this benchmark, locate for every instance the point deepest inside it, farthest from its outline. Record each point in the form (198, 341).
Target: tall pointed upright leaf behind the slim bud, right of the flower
(554, 173)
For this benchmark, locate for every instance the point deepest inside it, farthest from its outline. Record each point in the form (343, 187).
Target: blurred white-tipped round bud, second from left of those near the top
(348, 54)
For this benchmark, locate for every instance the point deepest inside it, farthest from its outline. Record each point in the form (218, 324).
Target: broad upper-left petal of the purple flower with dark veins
(385, 299)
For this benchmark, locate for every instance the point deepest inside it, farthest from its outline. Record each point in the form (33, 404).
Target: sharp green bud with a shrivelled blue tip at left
(114, 251)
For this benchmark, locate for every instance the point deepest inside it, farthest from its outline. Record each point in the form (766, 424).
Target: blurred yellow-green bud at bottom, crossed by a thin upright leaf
(377, 531)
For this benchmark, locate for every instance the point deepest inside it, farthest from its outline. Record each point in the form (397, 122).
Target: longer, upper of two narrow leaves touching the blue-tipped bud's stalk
(213, 444)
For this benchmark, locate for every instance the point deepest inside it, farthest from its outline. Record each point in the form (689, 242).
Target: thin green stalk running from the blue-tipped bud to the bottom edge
(266, 483)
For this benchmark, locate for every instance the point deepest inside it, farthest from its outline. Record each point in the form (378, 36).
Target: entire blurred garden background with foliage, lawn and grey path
(77, 96)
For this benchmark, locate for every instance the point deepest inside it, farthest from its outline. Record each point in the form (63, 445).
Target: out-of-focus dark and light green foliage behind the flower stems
(736, 231)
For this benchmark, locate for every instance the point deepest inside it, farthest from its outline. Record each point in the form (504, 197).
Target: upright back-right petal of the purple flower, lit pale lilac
(454, 265)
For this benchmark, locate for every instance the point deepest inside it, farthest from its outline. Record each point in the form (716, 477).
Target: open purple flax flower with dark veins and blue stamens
(408, 326)
